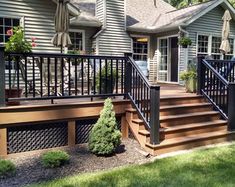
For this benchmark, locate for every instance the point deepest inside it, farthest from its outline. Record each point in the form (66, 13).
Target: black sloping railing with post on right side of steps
(216, 83)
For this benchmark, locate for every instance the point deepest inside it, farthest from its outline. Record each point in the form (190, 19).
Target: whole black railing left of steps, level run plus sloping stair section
(47, 76)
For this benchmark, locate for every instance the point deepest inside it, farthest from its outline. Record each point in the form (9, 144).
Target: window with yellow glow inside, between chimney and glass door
(140, 49)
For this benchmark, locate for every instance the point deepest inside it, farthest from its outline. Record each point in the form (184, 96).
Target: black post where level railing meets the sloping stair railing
(128, 74)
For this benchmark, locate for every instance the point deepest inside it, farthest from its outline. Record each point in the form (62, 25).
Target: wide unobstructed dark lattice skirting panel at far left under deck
(35, 137)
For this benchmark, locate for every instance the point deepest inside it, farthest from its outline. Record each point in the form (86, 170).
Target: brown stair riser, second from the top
(185, 110)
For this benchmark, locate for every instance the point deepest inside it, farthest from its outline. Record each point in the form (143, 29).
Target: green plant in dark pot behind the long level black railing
(105, 79)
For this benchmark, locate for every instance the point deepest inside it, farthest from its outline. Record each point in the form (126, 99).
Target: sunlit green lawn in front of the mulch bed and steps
(211, 167)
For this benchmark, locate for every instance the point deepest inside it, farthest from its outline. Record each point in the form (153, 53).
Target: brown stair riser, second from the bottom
(193, 131)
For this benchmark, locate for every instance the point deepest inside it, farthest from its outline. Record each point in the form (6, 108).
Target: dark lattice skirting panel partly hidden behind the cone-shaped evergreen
(83, 129)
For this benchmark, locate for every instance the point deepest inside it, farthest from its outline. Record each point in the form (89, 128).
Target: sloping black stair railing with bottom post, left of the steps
(145, 97)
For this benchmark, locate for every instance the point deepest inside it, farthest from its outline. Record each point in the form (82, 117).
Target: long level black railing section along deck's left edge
(59, 76)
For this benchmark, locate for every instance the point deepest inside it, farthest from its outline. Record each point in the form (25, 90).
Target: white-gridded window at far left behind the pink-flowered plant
(5, 25)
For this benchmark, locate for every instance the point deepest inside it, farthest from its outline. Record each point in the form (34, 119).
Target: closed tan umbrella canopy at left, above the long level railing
(61, 38)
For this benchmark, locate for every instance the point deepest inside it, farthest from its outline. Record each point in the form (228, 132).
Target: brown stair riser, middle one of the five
(188, 120)
